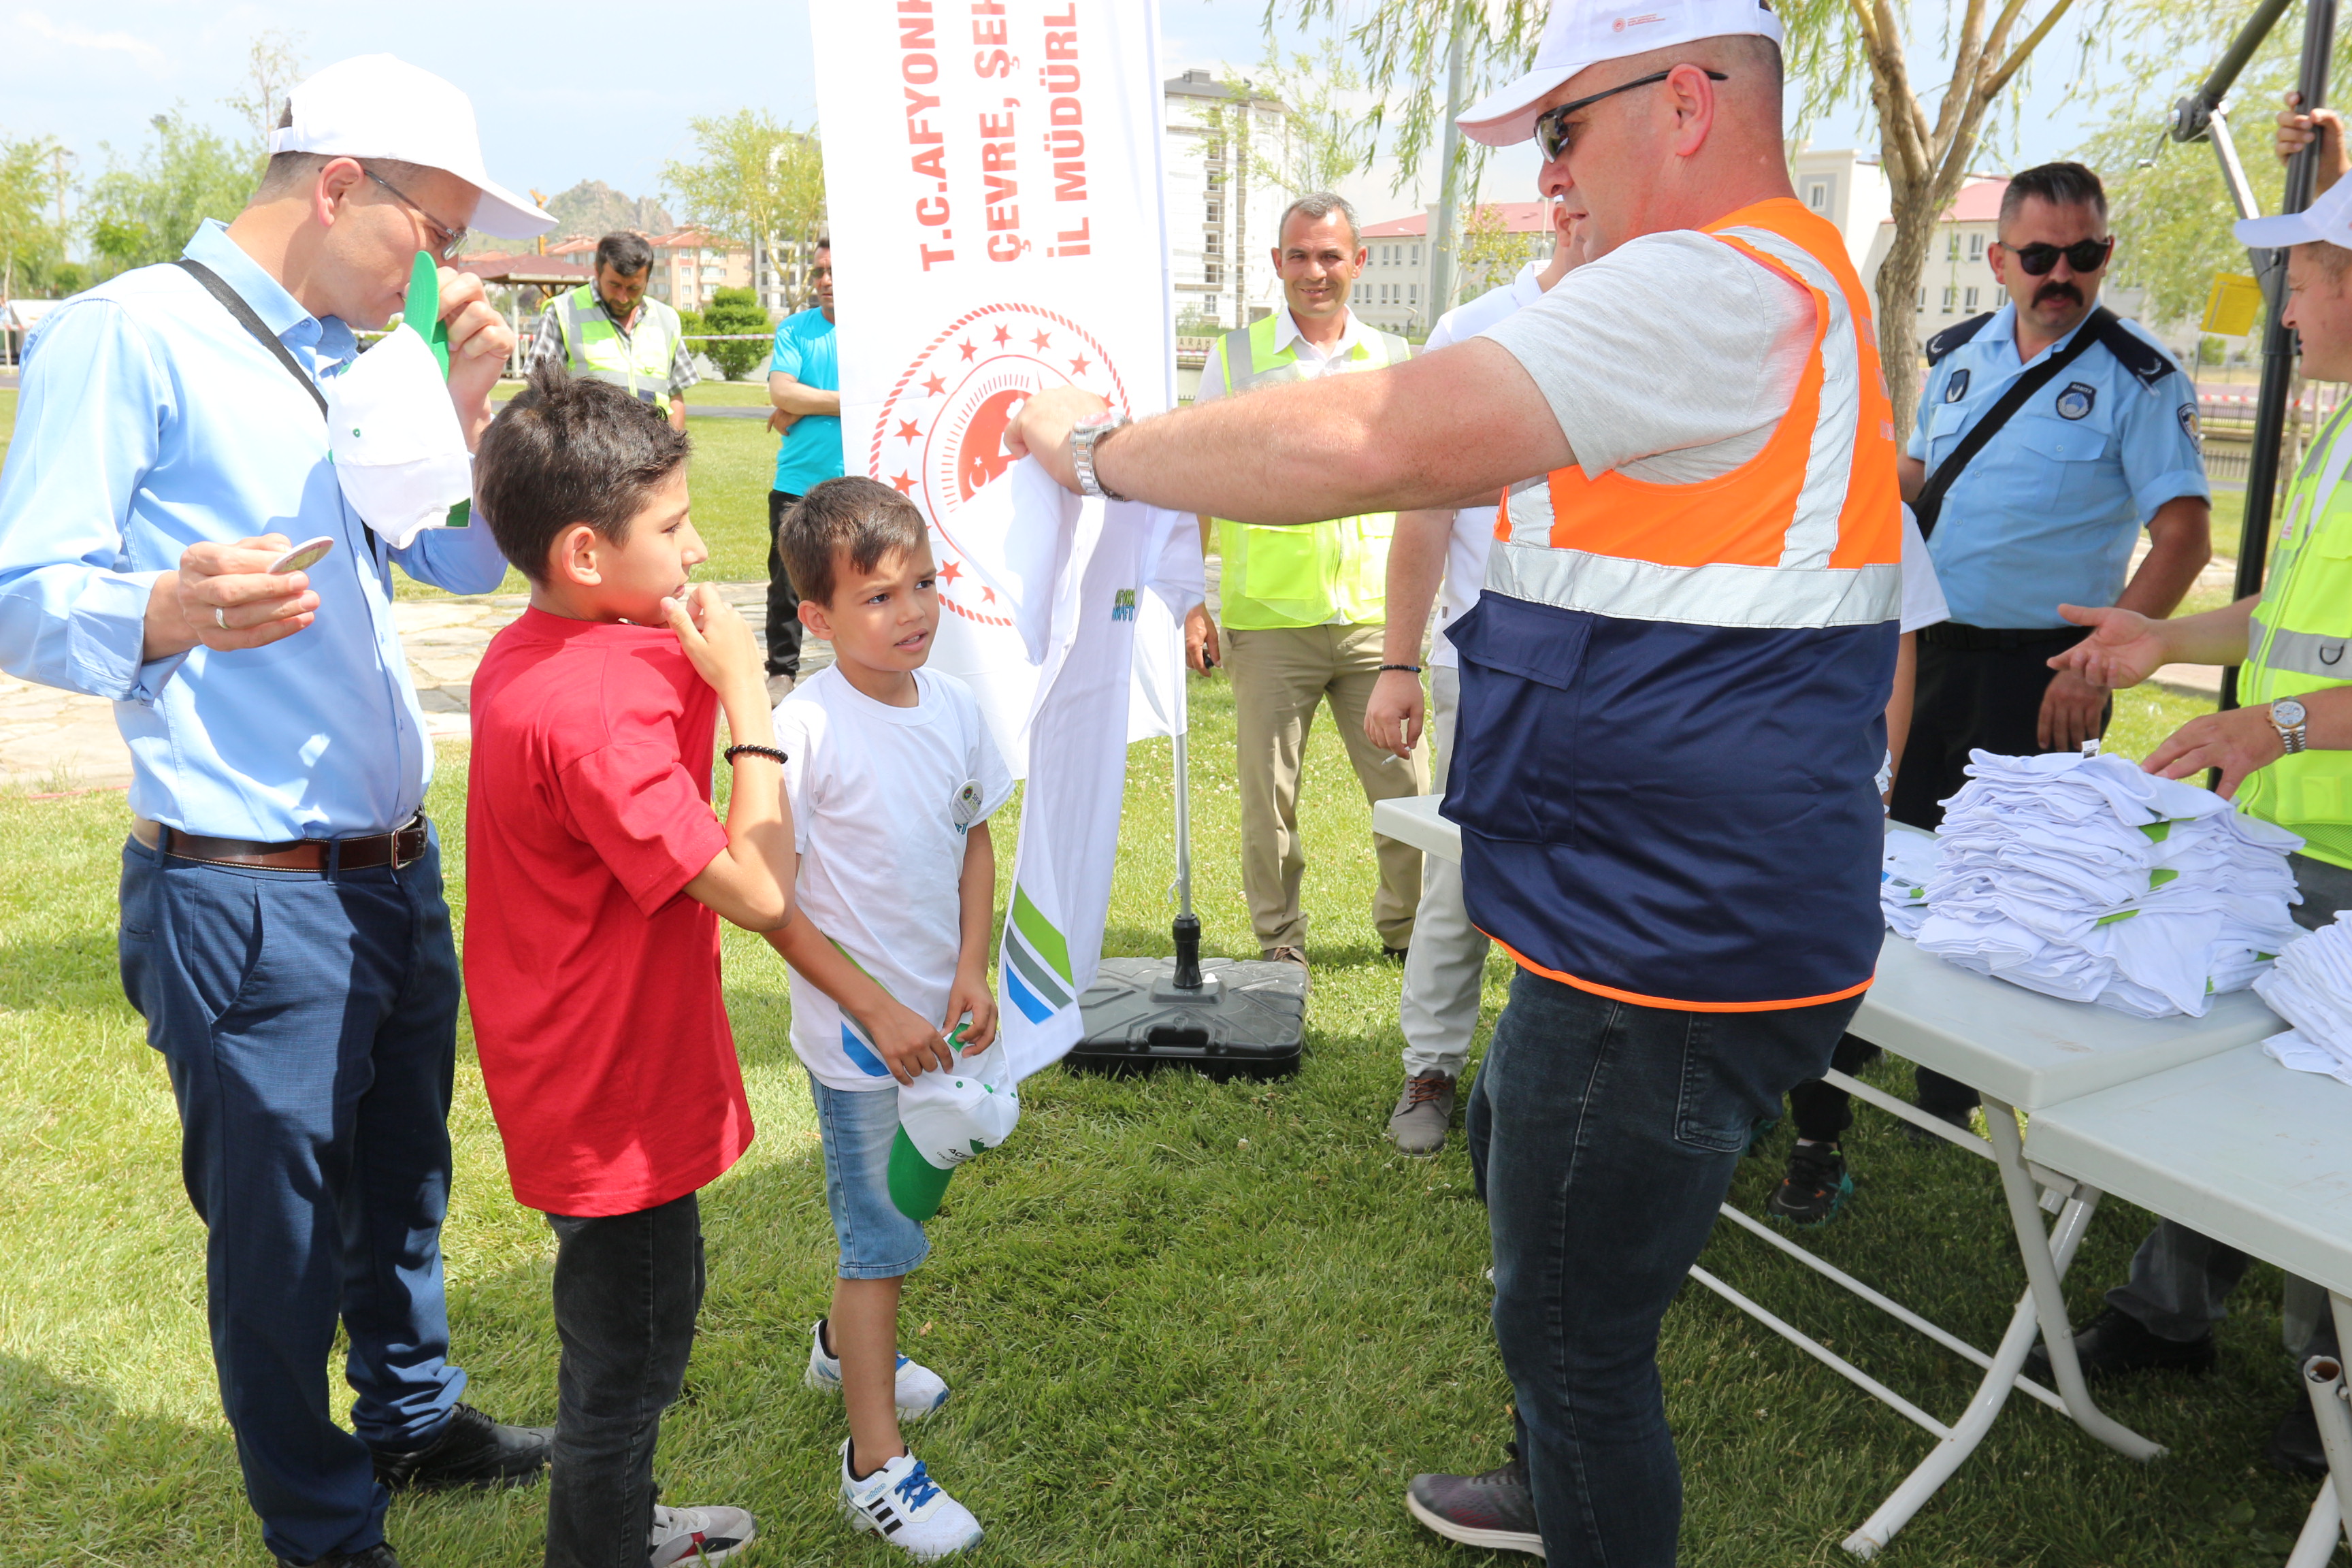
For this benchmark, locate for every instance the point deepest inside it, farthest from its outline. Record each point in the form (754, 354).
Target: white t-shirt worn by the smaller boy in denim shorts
(881, 805)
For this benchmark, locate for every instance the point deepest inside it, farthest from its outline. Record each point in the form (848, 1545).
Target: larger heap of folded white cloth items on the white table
(2090, 880)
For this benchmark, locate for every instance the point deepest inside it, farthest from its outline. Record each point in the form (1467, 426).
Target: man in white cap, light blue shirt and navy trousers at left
(283, 920)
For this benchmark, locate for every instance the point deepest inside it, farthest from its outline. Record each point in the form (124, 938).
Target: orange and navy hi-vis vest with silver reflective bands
(1673, 695)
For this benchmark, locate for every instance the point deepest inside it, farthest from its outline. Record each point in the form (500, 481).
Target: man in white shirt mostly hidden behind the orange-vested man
(1450, 956)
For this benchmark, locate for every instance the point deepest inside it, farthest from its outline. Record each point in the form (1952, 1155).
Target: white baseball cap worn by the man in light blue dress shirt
(382, 107)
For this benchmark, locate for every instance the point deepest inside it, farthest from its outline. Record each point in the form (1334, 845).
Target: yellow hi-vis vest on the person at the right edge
(2301, 641)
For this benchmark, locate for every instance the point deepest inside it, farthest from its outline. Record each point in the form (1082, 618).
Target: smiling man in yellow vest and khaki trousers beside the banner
(1304, 608)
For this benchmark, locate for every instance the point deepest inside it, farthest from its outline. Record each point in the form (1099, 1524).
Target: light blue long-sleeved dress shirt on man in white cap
(149, 422)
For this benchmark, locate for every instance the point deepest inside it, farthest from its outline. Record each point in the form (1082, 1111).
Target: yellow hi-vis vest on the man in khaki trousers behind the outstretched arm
(1323, 570)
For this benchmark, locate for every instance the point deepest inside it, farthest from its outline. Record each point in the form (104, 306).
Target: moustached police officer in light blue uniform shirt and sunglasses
(2045, 511)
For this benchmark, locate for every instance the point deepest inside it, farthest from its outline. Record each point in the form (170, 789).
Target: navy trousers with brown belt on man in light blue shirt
(309, 1026)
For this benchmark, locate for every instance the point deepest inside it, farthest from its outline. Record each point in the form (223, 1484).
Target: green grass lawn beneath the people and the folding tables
(1187, 1322)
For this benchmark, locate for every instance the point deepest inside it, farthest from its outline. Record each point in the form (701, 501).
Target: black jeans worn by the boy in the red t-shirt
(627, 1292)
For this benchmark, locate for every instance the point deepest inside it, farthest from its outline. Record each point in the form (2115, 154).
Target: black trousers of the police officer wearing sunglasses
(1972, 699)
